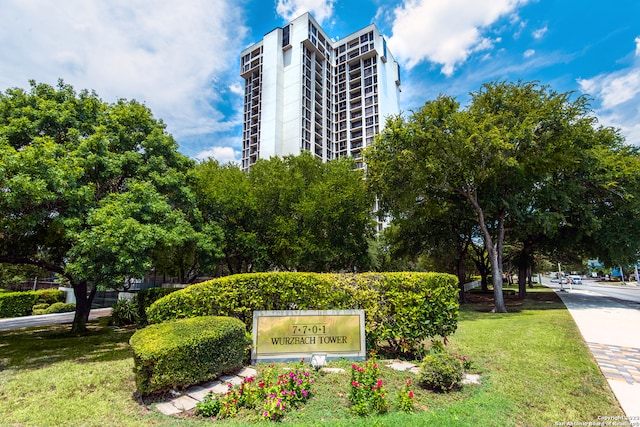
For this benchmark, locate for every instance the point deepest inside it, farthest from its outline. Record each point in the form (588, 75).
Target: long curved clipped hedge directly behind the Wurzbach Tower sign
(401, 309)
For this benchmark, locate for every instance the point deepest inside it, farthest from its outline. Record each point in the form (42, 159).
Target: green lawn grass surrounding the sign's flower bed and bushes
(536, 371)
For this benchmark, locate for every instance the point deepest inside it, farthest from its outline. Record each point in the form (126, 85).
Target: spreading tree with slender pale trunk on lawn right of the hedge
(513, 142)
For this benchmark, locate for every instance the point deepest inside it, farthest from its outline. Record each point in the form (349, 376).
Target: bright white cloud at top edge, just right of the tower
(444, 32)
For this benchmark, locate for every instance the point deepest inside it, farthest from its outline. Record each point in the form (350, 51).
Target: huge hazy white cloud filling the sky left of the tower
(167, 54)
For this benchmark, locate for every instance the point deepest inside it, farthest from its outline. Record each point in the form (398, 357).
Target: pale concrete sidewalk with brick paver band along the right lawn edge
(611, 329)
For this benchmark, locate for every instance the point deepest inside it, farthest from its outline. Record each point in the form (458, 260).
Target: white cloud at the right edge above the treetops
(618, 96)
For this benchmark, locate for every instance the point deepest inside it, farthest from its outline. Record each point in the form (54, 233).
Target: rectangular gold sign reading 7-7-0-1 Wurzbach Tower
(289, 335)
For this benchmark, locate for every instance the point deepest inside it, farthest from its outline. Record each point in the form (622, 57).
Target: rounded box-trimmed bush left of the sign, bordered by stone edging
(188, 351)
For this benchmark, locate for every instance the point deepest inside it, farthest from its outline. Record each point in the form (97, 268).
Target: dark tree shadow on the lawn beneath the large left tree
(36, 347)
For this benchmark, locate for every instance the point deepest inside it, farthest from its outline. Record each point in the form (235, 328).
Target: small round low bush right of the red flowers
(441, 372)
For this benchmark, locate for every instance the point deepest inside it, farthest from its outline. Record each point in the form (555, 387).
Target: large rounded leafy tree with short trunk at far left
(93, 192)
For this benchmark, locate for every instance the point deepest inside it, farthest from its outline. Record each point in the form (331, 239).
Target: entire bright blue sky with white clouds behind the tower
(181, 57)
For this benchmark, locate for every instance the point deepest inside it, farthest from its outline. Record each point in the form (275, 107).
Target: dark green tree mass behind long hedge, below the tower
(291, 213)
